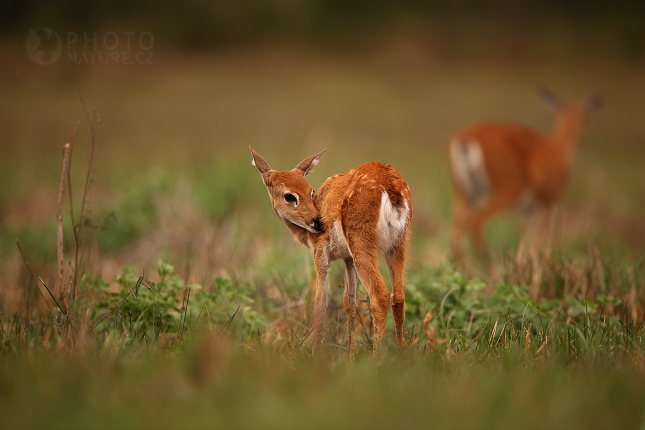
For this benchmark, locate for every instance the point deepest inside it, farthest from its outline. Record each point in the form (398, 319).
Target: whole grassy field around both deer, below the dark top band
(218, 334)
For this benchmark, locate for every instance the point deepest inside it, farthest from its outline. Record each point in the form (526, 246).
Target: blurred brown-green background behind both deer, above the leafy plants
(387, 81)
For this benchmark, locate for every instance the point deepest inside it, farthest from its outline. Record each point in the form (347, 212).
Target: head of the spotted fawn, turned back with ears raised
(291, 195)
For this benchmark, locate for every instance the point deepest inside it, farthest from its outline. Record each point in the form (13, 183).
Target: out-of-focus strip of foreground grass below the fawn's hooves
(265, 392)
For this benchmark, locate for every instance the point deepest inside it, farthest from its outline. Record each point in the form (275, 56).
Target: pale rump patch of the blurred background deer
(467, 160)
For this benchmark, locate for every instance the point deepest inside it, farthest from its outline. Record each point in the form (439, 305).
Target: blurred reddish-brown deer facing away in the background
(497, 166)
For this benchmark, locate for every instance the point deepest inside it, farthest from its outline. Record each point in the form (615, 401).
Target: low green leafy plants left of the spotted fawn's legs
(143, 309)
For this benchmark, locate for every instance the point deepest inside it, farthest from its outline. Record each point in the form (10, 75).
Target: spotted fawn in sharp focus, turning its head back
(352, 217)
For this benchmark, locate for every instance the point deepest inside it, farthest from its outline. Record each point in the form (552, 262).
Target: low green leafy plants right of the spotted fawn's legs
(461, 306)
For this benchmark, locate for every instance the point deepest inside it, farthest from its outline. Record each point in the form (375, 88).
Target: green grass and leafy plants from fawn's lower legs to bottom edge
(519, 364)
